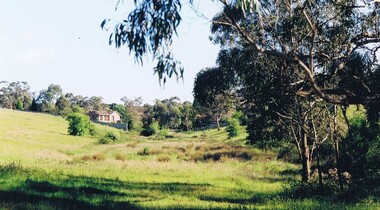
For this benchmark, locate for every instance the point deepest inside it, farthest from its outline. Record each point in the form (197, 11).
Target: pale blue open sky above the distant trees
(47, 42)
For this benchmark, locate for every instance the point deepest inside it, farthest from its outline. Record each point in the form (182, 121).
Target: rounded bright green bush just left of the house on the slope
(79, 124)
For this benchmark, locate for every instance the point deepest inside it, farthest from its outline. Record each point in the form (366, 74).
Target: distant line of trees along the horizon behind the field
(145, 118)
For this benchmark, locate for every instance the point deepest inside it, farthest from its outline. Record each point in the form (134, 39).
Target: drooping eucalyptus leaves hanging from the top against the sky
(149, 28)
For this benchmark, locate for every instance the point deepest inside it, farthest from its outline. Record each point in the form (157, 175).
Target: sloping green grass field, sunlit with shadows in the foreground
(41, 167)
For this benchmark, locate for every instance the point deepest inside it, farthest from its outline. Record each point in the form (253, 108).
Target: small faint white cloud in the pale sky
(37, 55)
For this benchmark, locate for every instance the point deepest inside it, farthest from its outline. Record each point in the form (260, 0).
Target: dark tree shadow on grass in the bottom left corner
(26, 191)
